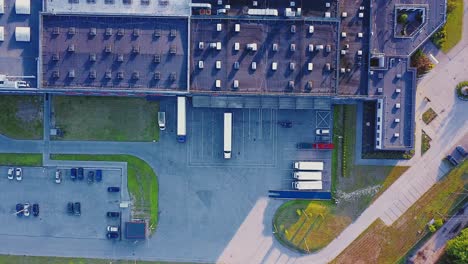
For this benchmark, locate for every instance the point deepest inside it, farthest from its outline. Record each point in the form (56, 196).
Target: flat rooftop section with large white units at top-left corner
(19, 58)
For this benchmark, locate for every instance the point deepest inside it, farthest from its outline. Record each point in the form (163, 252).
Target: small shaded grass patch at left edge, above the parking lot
(21, 116)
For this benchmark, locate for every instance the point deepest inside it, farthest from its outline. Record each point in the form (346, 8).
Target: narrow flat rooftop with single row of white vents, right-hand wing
(396, 86)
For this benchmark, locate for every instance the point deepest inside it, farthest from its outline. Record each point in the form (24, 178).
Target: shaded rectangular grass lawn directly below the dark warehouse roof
(106, 118)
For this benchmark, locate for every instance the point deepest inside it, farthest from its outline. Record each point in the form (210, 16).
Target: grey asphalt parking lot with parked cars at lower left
(38, 186)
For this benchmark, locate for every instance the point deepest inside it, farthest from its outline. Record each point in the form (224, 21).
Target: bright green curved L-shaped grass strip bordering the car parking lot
(142, 183)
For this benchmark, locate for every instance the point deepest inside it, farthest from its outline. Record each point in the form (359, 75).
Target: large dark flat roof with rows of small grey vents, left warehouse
(114, 52)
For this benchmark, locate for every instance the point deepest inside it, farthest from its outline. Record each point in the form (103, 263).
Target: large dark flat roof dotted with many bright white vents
(284, 43)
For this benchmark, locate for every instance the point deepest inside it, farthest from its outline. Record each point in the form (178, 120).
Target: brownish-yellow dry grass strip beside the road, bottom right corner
(382, 244)
